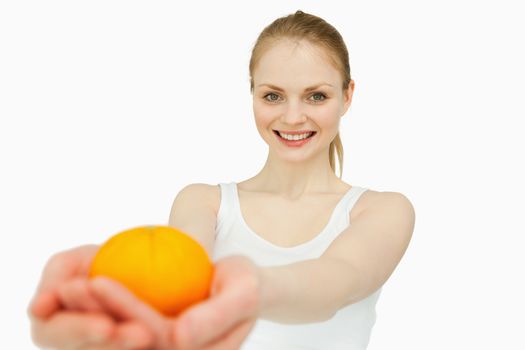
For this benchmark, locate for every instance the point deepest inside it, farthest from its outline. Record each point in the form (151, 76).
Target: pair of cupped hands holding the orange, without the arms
(67, 300)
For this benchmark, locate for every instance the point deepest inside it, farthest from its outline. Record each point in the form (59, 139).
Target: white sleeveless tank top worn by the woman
(348, 329)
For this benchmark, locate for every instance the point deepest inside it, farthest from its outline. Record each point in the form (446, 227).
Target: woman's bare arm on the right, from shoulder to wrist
(356, 264)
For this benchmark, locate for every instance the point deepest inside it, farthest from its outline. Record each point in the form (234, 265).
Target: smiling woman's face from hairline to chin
(297, 89)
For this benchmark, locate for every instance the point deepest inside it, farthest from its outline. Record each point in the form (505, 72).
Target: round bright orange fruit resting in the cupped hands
(161, 265)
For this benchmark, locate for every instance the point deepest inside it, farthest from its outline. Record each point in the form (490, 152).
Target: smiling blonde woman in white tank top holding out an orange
(300, 255)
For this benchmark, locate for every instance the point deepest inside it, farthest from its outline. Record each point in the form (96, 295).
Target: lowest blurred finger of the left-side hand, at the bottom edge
(72, 330)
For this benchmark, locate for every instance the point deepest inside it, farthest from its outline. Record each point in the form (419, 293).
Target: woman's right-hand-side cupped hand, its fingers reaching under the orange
(223, 321)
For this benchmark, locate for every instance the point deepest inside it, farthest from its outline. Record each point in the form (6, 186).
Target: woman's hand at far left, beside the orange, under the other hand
(65, 315)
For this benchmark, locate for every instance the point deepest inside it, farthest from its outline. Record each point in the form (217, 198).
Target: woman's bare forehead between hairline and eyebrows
(292, 64)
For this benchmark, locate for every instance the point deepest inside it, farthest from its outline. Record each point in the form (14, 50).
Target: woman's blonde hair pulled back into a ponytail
(304, 26)
